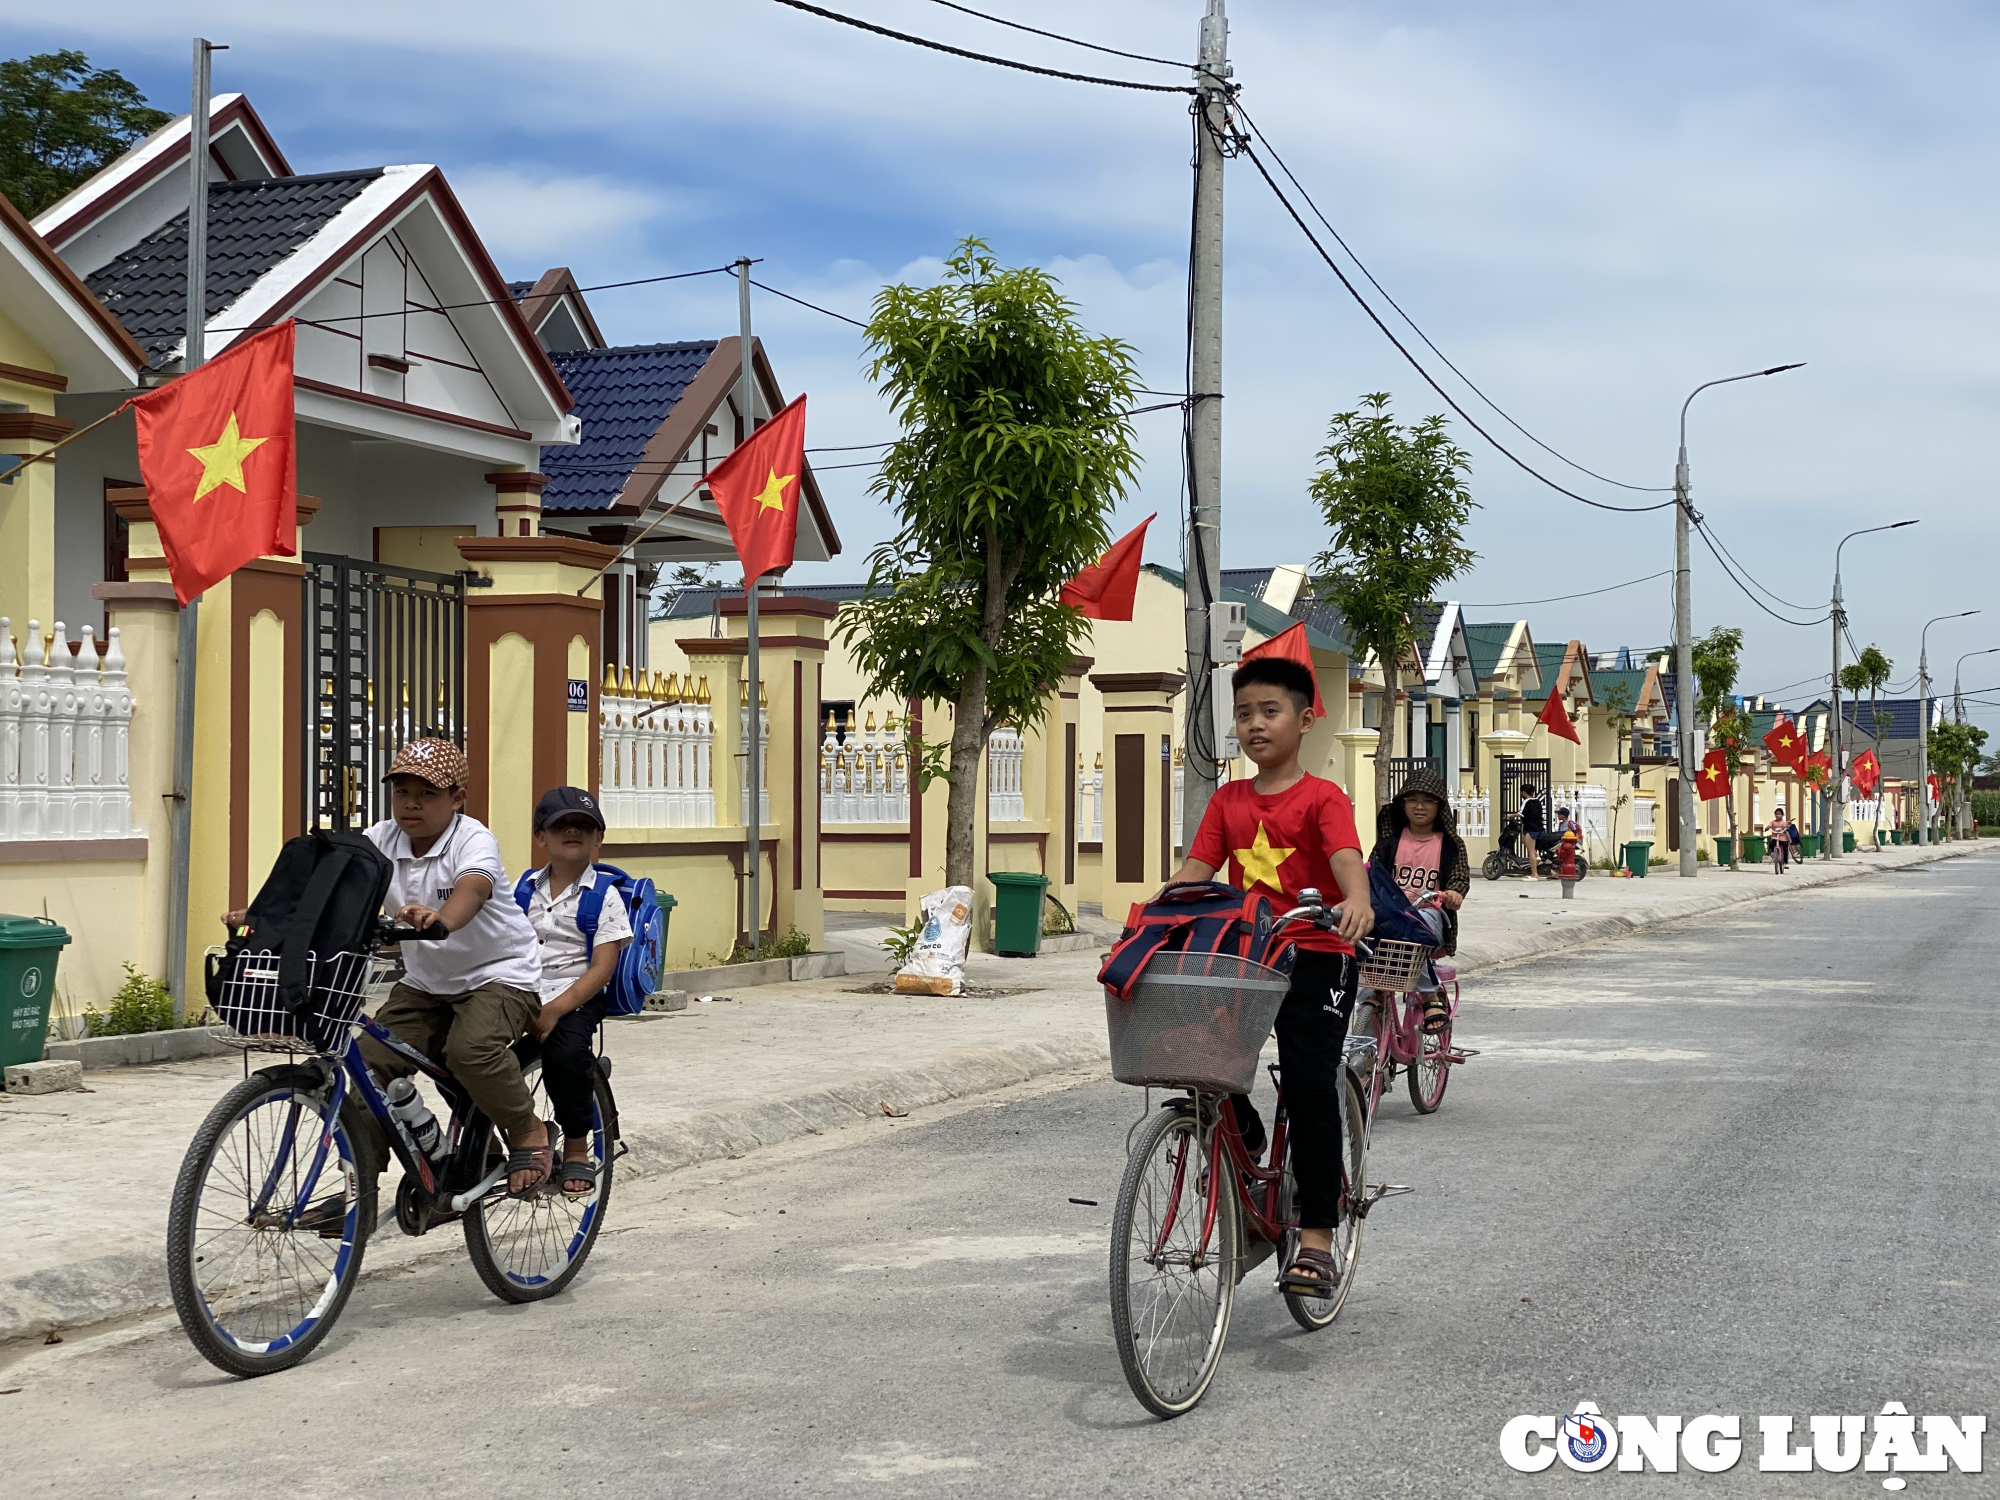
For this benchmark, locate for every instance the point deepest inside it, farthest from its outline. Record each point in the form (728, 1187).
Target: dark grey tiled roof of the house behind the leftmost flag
(251, 229)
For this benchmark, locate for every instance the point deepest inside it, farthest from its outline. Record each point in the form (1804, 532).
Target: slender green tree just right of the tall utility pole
(1397, 505)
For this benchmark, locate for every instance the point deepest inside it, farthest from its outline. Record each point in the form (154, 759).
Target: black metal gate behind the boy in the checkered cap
(385, 663)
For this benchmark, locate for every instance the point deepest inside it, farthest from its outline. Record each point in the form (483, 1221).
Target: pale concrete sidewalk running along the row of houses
(85, 1177)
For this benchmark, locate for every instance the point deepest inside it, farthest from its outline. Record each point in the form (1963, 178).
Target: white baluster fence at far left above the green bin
(65, 737)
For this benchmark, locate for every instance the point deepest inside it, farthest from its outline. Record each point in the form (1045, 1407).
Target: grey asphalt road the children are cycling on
(1743, 1169)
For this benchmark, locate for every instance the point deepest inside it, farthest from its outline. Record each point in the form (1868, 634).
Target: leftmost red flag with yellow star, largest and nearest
(217, 455)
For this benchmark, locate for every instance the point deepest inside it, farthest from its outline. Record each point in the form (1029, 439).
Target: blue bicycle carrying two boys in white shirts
(277, 1195)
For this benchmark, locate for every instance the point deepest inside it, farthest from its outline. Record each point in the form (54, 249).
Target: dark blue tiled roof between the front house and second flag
(623, 397)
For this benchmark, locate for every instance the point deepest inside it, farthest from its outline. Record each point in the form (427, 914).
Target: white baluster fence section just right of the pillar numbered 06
(657, 755)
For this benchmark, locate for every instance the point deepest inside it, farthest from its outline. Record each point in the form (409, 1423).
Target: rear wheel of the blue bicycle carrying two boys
(529, 1249)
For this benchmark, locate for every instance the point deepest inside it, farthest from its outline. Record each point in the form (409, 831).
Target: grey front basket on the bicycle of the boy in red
(1195, 1021)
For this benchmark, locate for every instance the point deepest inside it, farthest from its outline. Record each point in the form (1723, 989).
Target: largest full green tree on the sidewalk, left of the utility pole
(1015, 451)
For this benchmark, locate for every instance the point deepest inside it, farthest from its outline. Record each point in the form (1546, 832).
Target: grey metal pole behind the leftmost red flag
(181, 827)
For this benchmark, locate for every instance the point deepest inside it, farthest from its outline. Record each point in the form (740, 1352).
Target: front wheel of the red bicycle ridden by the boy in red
(1171, 1293)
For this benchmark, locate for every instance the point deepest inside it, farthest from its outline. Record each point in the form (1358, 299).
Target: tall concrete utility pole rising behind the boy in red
(1205, 417)
